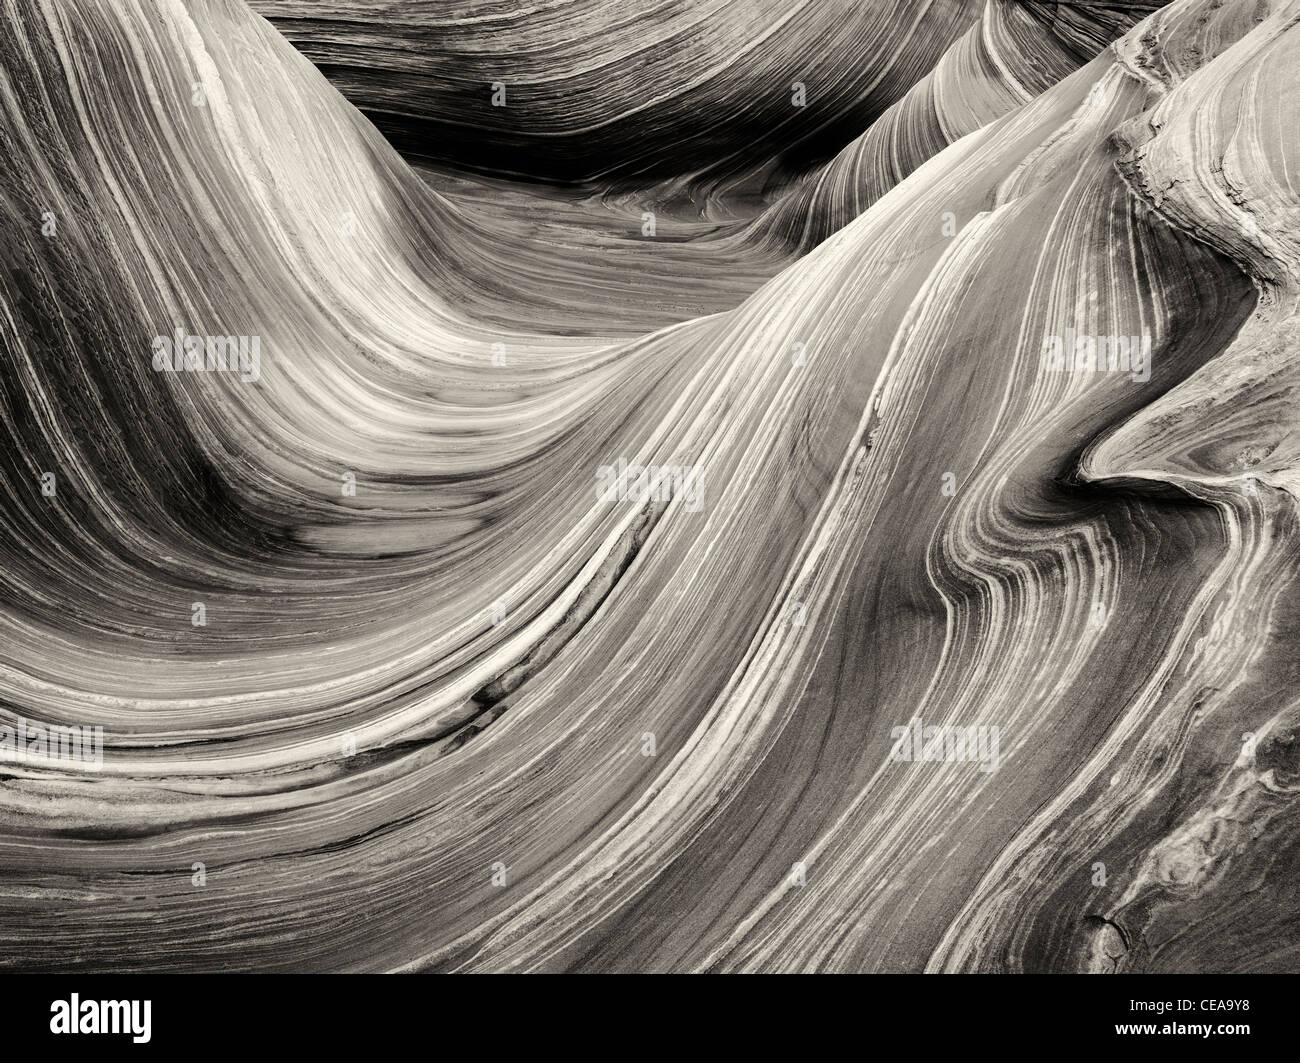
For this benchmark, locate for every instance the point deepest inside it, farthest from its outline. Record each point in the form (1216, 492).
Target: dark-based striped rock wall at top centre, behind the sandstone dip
(596, 92)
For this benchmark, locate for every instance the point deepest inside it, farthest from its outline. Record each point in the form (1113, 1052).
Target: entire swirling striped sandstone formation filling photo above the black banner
(470, 715)
